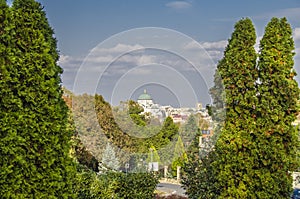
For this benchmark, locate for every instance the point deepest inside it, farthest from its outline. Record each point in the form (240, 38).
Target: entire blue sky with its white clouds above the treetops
(92, 29)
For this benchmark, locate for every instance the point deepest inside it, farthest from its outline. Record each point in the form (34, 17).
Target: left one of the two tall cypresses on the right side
(236, 145)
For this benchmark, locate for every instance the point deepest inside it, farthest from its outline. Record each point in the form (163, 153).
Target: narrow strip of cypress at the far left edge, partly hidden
(10, 141)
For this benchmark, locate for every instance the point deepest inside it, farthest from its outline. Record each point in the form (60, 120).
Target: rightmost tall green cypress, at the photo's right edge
(278, 95)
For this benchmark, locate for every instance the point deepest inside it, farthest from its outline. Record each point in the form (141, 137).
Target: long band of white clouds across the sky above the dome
(118, 59)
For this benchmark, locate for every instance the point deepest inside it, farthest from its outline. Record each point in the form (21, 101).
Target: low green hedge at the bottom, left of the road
(115, 185)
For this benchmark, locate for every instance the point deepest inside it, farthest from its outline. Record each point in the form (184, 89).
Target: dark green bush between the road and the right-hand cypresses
(198, 175)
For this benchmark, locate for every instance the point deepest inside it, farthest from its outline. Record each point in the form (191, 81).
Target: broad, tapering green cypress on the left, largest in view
(36, 161)
